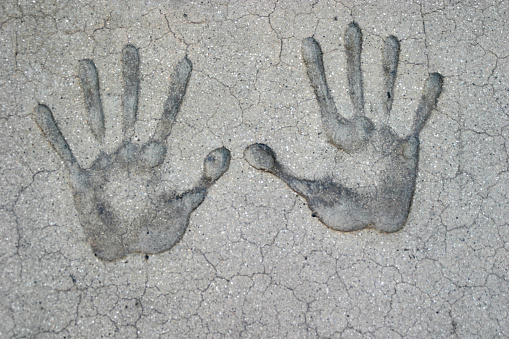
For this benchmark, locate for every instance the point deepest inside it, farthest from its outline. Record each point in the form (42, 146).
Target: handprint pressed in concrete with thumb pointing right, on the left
(164, 217)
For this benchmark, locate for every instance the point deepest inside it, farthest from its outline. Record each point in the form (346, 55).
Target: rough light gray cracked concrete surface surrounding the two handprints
(253, 261)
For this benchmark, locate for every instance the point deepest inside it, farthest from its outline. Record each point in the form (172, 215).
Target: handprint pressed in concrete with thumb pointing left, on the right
(385, 204)
